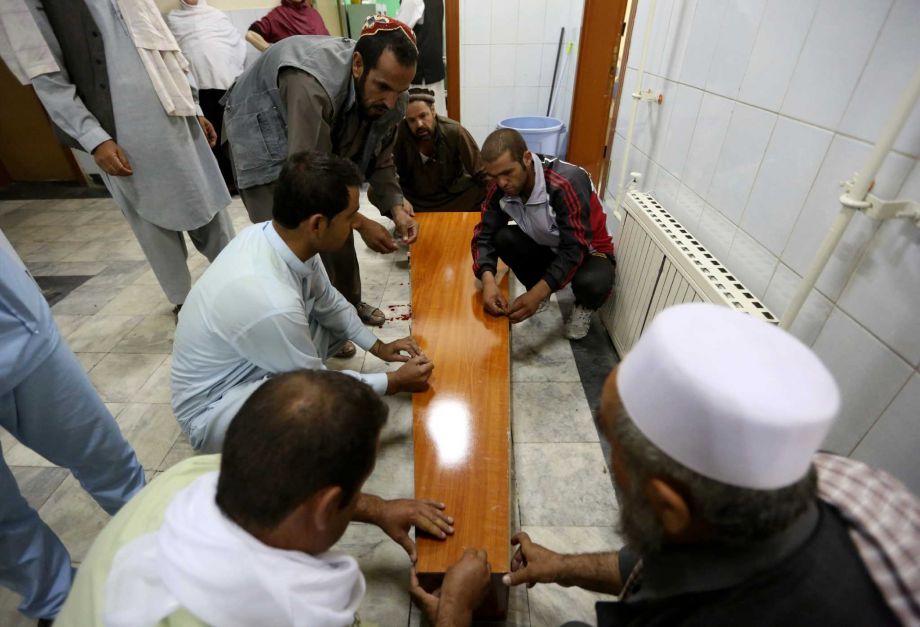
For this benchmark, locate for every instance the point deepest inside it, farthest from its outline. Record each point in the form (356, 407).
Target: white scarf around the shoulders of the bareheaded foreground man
(201, 561)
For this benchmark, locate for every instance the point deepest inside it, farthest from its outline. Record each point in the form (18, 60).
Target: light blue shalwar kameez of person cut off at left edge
(48, 403)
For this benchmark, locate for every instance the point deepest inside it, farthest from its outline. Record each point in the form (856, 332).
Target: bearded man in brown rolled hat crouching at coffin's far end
(437, 159)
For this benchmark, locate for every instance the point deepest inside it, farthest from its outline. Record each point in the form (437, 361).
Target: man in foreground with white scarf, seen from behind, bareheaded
(250, 544)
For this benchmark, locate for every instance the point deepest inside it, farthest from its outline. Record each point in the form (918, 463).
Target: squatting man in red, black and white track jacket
(559, 236)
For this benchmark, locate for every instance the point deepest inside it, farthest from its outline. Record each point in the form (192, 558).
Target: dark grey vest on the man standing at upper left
(84, 60)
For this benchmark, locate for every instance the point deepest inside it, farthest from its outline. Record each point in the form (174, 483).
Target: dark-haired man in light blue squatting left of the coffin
(266, 305)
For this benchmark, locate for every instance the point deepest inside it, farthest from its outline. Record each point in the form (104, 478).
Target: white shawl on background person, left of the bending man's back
(210, 41)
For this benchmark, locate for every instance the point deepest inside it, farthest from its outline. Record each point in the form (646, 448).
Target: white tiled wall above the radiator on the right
(768, 105)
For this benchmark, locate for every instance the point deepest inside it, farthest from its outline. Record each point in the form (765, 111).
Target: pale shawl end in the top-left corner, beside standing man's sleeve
(22, 46)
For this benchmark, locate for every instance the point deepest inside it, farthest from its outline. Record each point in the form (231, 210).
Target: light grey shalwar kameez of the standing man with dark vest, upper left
(176, 185)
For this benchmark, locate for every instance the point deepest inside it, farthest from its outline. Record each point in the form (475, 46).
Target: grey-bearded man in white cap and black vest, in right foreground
(730, 517)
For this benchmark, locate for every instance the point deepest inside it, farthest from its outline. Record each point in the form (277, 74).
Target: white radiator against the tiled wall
(659, 263)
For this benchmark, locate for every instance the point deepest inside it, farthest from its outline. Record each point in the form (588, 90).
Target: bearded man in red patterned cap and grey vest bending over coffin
(330, 95)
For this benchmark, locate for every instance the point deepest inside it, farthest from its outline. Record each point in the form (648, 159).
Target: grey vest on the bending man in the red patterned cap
(255, 119)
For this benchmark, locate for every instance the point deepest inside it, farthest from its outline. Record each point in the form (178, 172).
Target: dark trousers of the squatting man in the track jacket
(591, 284)
